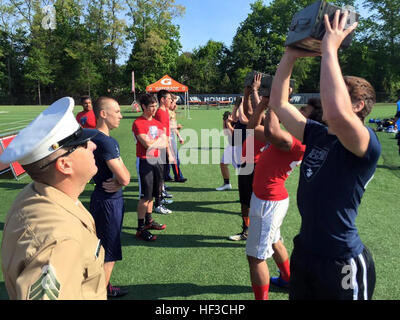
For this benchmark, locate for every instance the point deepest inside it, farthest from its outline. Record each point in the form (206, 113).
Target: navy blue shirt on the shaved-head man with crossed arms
(107, 149)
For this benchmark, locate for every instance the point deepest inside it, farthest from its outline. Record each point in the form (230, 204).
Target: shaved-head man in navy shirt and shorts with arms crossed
(107, 202)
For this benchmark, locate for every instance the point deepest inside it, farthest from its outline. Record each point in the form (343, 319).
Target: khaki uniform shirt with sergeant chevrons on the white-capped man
(50, 249)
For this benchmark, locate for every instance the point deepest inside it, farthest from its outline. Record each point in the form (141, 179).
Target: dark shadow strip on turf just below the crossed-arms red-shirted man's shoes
(178, 240)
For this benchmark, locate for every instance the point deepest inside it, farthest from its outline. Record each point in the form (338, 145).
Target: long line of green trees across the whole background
(75, 47)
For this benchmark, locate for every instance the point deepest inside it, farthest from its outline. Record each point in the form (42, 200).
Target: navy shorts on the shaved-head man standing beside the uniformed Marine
(108, 215)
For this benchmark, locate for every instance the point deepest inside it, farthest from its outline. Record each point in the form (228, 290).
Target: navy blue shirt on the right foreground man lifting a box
(332, 182)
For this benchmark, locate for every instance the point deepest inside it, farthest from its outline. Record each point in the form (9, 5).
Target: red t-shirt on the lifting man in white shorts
(272, 170)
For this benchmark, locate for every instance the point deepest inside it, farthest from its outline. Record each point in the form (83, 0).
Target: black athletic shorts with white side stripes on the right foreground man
(318, 278)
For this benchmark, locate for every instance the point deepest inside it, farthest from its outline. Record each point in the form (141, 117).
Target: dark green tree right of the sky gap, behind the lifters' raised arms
(260, 38)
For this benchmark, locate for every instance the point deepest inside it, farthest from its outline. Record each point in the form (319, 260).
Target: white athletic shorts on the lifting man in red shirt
(266, 218)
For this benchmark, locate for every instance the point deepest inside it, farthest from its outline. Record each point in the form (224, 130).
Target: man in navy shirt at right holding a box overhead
(329, 261)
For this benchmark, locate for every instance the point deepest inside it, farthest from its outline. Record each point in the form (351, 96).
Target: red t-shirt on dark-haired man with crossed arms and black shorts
(153, 129)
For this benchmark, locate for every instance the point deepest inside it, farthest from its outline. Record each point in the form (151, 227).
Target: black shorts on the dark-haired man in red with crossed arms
(150, 179)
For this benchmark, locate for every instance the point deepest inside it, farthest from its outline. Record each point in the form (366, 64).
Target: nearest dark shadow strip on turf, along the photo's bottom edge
(159, 291)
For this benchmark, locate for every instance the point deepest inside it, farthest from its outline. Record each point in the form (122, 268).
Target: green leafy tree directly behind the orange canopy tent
(155, 40)
